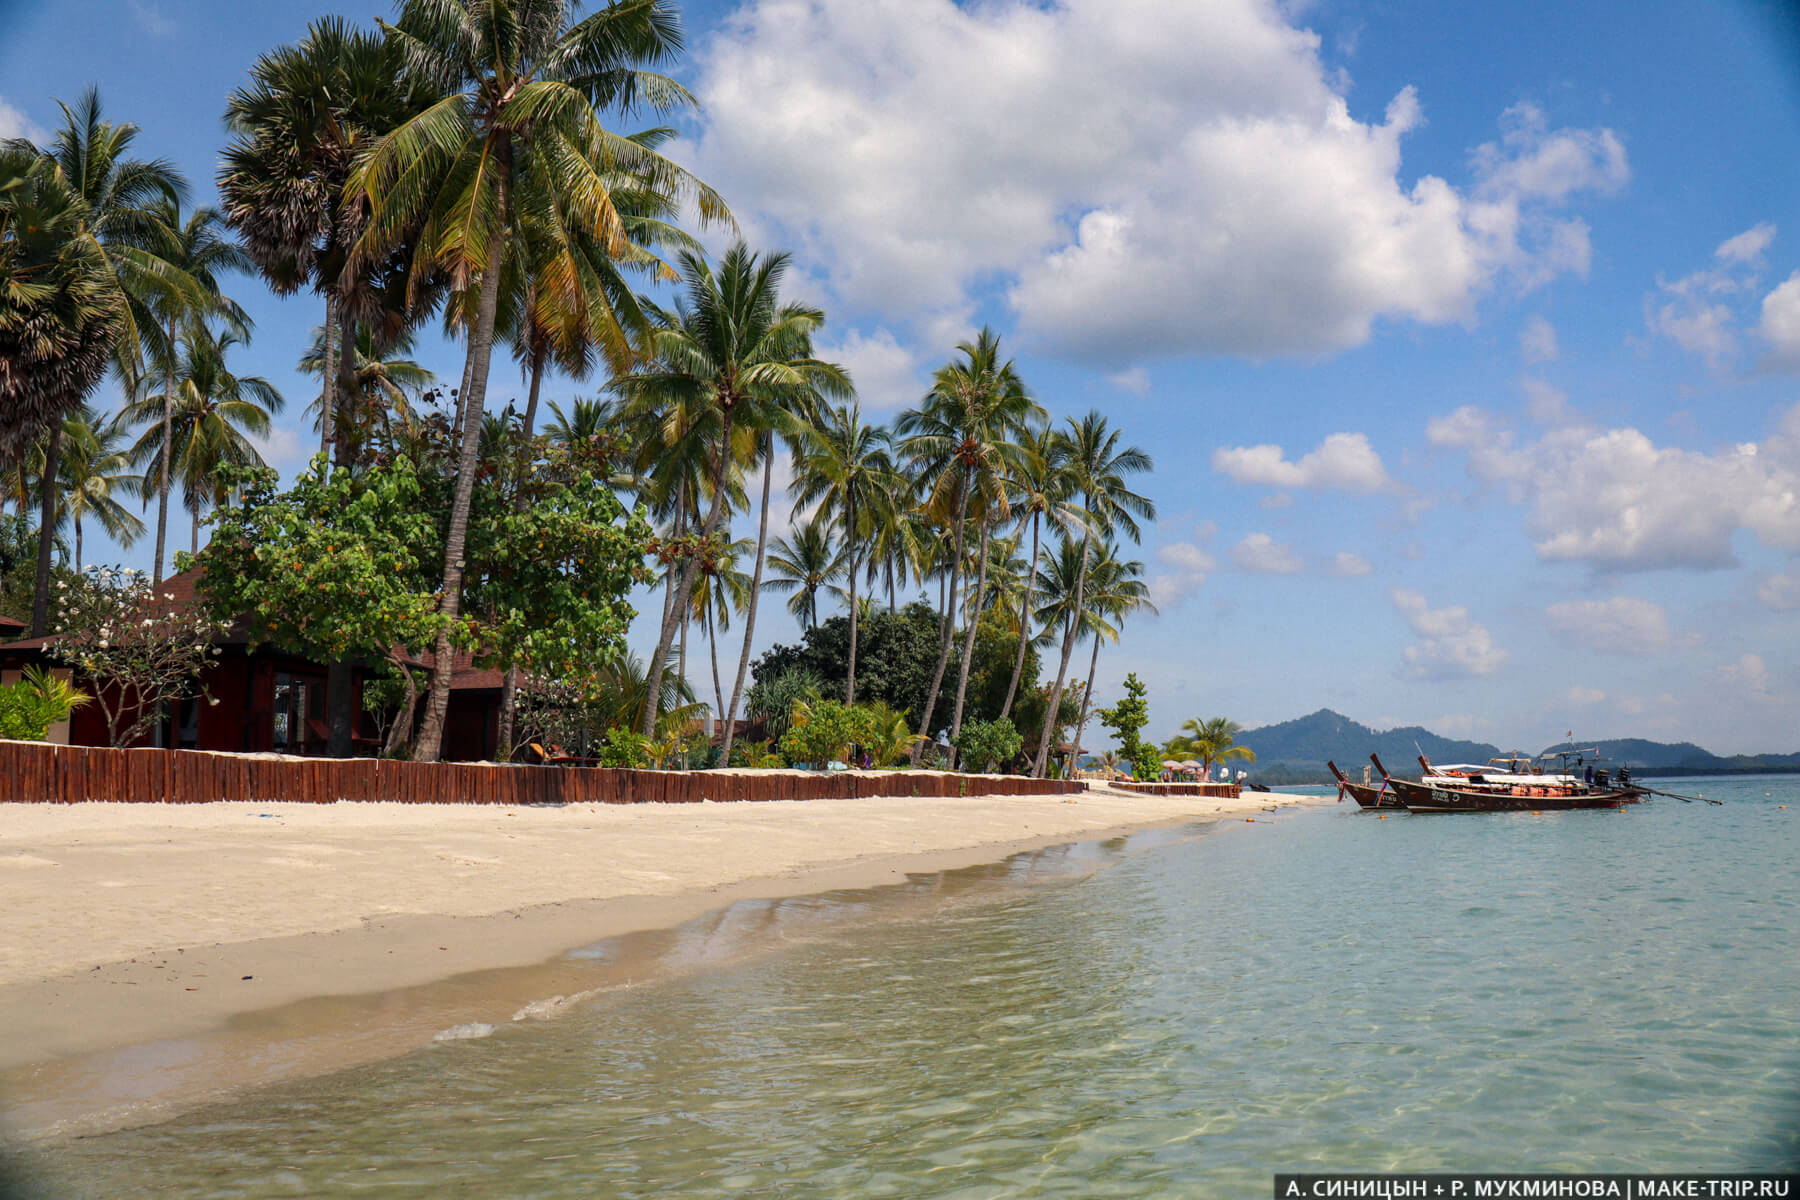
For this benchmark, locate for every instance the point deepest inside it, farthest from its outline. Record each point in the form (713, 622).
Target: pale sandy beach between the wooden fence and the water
(132, 927)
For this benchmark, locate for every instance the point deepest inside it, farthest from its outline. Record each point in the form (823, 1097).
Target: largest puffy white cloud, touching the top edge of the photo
(1223, 202)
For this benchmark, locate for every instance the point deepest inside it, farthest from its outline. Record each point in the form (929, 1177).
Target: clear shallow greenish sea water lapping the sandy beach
(1317, 990)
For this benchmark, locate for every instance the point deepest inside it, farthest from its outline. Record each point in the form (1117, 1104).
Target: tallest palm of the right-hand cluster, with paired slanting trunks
(964, 442)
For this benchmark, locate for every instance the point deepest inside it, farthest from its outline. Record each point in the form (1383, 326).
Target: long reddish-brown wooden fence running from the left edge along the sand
(39, 773)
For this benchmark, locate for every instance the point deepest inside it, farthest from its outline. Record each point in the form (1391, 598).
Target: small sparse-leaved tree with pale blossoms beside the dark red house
(136, 645)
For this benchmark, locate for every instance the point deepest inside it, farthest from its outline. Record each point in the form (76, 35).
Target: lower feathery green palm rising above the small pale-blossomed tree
(215, 415)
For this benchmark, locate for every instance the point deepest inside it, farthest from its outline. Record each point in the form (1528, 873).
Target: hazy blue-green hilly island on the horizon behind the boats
(1297, 751)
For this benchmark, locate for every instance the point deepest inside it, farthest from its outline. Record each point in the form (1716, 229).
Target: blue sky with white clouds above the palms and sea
(1466, 337)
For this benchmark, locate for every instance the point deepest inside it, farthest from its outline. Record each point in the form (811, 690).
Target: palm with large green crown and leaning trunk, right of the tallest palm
(730, 355)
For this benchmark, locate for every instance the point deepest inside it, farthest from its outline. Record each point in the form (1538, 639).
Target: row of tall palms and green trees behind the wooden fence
(476, 168)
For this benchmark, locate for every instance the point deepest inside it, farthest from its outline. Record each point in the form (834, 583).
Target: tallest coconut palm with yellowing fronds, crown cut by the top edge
(517, 134)
